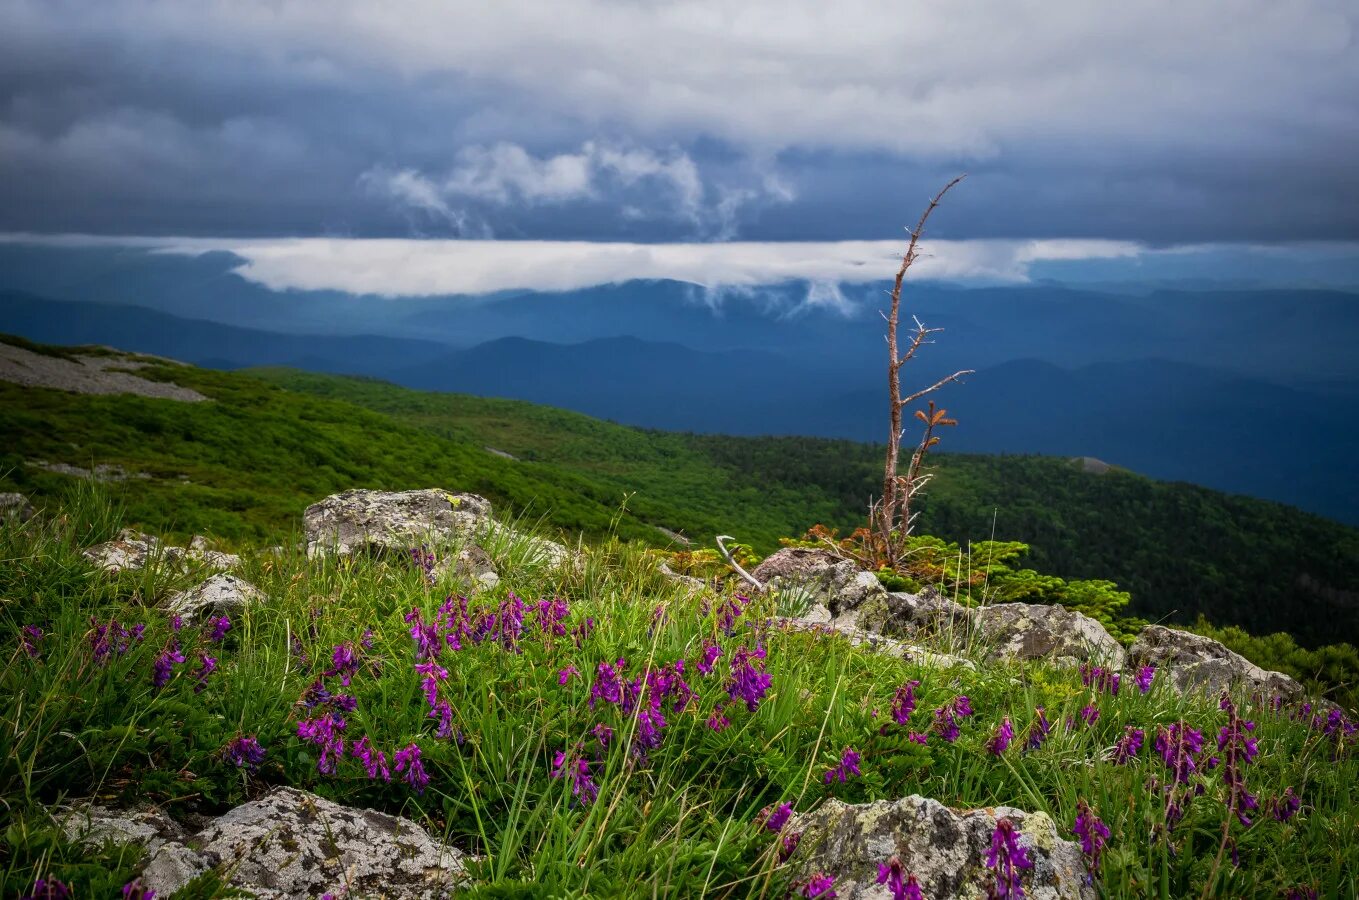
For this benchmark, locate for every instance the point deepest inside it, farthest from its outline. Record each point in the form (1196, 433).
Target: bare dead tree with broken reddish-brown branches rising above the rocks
(891, 517)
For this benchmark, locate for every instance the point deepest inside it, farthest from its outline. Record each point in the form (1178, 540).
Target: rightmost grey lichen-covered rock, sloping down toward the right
(1197, 664)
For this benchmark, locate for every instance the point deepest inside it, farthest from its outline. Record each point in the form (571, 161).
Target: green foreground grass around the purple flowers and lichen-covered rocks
(679, 822)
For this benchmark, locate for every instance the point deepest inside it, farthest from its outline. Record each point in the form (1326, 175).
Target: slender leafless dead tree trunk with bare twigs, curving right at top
(896, 494)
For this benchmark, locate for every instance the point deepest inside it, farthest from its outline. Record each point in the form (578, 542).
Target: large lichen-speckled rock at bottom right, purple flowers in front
(947, 850)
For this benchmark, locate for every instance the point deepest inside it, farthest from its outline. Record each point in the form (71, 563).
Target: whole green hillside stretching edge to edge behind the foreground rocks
(243, 468)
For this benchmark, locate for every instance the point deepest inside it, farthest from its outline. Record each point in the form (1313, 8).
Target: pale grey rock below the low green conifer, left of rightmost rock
(1029, 631)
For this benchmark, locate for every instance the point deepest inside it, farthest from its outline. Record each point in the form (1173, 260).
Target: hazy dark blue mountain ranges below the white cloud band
(1244, 391)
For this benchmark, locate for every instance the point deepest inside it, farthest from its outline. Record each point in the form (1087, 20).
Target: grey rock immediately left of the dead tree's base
(851, 596)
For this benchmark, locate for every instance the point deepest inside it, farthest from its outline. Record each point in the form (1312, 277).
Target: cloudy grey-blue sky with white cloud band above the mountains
(1081, 124)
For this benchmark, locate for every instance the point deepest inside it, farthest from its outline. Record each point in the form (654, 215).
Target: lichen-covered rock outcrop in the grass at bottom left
(289, 844)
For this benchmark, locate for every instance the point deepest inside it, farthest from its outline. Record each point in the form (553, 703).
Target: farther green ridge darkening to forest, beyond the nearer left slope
(1180, 550)
